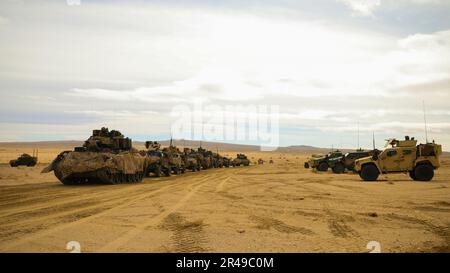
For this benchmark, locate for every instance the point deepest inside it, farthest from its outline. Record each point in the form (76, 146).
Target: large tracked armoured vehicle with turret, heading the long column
(106, 157)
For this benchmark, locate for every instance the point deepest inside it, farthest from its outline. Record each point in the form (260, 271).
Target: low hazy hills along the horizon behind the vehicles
(70, 144)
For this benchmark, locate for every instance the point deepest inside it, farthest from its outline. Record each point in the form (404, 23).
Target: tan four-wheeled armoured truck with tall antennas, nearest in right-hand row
(405, 156)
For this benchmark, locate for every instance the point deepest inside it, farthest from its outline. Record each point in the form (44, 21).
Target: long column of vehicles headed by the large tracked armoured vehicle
(109, 157)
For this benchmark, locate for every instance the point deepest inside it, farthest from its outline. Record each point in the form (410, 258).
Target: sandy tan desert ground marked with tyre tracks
(280, 207)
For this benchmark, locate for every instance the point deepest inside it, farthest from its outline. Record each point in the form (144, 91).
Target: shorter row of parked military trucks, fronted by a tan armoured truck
(399, 156)
